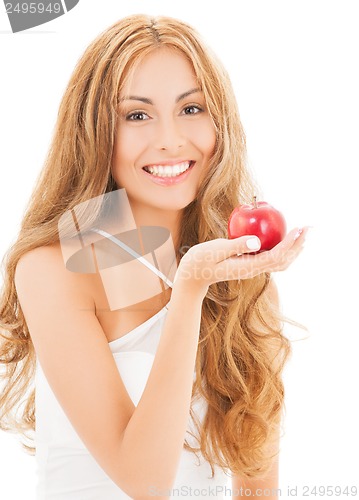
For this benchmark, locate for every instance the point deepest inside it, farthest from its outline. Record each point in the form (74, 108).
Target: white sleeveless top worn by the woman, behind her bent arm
(65, 468)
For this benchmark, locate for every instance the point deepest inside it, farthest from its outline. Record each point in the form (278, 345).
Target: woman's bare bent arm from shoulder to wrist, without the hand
(136, 447)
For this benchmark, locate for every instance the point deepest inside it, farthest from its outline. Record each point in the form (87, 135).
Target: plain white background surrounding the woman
(294, 69)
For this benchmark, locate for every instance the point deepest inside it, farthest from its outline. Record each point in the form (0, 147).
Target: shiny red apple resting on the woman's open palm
(260, 219)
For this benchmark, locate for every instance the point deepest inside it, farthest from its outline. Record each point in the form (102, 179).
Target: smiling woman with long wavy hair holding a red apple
(147, 102)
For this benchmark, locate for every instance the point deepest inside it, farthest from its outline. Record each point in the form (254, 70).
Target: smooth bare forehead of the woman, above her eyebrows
(162, 70)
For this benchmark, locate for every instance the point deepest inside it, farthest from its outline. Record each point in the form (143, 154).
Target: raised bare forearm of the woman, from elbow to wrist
(153, 439)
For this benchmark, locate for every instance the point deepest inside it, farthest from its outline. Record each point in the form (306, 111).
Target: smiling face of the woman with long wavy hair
(164, 136)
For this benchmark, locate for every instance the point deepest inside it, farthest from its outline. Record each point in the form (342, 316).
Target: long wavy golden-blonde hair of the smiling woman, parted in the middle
(234, 369)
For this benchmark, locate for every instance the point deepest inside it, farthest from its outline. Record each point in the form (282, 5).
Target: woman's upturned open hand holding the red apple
(221, 259)
